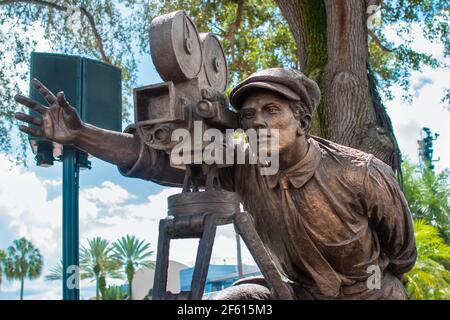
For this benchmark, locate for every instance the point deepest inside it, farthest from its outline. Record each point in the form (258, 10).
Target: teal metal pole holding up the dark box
(70, 231)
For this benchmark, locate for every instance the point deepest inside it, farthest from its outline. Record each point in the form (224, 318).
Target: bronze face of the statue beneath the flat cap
(266, 110)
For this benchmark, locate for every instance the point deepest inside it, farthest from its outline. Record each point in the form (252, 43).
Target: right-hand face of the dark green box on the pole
(101, 95)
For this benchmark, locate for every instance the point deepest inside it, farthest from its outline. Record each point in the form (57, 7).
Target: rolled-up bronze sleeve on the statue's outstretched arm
(153, 165)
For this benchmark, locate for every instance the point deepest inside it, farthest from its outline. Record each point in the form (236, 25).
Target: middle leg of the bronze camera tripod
(203, 258)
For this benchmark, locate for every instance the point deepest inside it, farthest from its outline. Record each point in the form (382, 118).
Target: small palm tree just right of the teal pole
(97, 263)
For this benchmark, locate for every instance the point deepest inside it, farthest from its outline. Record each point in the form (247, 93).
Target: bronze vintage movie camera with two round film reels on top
(193, 66)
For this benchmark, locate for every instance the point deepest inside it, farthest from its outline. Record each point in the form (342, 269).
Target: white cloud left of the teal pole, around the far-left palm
(25, 211)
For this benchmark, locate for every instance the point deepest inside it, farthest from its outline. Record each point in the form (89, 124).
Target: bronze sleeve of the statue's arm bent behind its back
(390, 217)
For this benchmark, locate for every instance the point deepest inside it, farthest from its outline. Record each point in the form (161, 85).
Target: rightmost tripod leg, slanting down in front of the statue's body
(243, 223)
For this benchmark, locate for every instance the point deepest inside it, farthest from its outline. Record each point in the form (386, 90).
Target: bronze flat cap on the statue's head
(290, 83)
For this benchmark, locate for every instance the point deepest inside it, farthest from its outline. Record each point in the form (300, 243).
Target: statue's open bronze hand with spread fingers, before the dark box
(60, 122)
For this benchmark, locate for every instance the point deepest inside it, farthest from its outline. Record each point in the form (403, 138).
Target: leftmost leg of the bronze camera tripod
(162, 261)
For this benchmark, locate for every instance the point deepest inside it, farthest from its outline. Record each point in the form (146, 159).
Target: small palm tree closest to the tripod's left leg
(132, 253)
